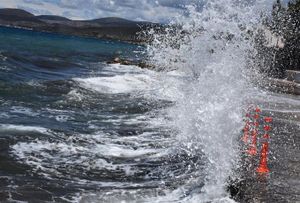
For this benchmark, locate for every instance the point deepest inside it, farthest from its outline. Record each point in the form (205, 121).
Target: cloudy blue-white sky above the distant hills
(139, 10)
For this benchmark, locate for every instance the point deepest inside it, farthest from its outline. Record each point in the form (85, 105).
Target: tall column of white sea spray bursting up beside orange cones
(214, 49)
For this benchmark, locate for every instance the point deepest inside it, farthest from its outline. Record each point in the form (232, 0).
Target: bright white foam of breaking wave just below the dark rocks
(131, 79)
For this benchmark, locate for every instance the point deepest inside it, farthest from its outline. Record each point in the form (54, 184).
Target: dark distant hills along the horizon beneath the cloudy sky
(109, 28)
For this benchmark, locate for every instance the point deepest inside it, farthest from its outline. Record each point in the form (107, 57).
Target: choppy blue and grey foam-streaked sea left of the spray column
(70, 124)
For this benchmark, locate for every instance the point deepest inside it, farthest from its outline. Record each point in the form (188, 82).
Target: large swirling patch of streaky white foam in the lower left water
(89, 151)
